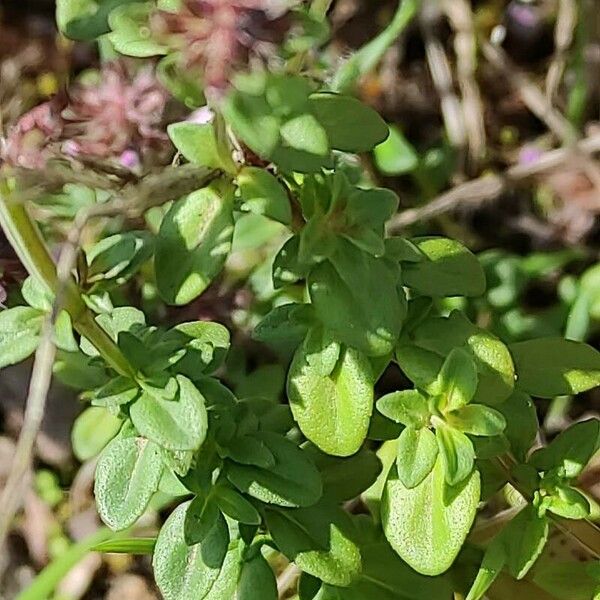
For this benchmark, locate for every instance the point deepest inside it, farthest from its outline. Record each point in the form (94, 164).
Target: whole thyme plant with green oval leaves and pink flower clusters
(370, 497)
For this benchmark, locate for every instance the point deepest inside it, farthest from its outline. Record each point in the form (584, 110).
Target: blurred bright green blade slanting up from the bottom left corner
(45, 583)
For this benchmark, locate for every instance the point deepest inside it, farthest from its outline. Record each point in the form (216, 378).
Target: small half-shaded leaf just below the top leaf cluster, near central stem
(262, 194)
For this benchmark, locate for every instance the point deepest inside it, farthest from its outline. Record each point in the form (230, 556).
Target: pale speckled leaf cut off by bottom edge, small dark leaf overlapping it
(206, 571)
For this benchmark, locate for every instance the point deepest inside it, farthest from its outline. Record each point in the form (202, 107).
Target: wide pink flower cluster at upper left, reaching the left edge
(119, 117)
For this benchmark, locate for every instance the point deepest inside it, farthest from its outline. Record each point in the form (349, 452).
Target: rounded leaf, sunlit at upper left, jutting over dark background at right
(448, 269)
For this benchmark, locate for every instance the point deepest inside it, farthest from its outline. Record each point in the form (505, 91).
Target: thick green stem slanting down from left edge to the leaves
(26, 240)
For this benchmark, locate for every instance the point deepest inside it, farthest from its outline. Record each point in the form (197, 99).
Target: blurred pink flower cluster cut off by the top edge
(219, 36)
